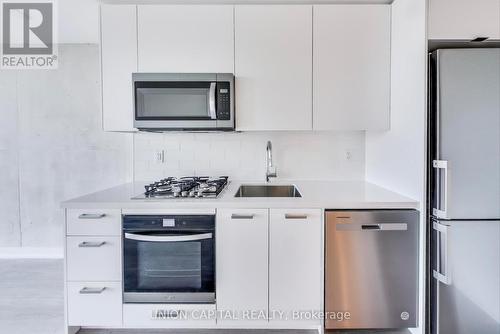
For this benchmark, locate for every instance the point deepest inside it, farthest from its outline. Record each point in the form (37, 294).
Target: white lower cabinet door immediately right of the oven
(242, 259)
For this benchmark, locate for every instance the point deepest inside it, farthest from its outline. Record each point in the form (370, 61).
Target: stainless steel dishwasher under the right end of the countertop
(371, 269)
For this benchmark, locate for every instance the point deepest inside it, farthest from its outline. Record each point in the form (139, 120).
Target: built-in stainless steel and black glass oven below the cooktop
(169, 259)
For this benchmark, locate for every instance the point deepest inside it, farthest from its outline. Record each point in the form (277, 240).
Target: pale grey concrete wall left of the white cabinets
(52, 146)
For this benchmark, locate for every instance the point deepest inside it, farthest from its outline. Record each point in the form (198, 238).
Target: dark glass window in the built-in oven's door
(171, 266)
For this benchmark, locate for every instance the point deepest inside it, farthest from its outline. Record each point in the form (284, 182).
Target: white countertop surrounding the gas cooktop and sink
(315, 194)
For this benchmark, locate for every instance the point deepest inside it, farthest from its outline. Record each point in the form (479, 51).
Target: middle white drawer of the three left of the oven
(93, 258)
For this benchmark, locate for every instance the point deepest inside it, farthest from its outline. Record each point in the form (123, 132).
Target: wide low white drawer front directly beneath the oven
(169, 315)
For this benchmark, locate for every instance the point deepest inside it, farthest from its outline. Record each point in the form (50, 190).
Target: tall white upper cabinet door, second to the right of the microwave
(352, 67)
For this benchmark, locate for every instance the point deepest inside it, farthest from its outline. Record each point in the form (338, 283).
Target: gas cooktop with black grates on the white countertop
(184, 187)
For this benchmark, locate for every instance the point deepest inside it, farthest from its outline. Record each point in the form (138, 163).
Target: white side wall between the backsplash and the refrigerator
(396, 159)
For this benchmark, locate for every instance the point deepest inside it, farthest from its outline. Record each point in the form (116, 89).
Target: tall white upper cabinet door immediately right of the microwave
(273, 54)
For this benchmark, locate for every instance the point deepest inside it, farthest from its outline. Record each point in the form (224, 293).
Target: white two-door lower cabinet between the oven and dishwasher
(269, 261)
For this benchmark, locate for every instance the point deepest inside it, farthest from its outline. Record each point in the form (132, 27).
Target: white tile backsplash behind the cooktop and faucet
(297, 155)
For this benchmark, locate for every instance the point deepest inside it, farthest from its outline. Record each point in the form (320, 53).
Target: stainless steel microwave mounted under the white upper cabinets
(183, 101)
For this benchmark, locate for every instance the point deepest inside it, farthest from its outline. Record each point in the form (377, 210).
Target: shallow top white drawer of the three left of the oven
(93, 222)
